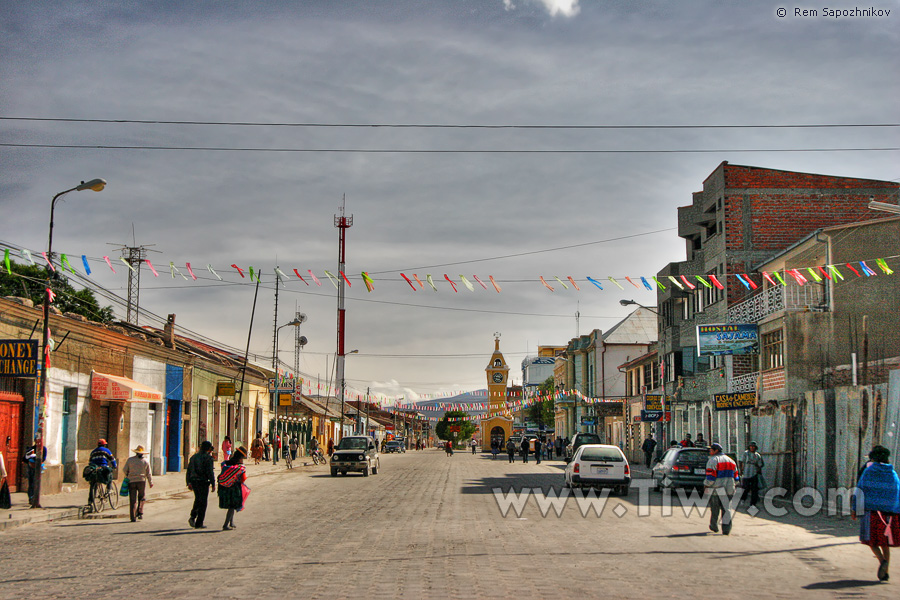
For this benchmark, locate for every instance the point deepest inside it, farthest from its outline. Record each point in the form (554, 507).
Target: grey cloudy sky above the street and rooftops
(514, 203)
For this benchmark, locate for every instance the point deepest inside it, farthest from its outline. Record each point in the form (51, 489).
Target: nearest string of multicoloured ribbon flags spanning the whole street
(750, 281)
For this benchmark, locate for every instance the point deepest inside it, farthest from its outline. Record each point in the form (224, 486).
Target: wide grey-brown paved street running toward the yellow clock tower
(428, 526)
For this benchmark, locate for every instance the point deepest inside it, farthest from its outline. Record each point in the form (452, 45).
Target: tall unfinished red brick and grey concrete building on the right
(741, 218)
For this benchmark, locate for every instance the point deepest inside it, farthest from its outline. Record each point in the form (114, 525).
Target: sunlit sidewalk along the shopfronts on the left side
(69, 505)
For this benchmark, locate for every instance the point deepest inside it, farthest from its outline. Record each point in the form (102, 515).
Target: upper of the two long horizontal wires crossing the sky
(449, 125)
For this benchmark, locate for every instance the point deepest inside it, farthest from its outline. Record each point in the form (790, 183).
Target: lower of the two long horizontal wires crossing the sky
(444, 151)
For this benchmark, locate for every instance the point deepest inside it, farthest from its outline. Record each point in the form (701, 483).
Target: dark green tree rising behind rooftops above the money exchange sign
(28, 281)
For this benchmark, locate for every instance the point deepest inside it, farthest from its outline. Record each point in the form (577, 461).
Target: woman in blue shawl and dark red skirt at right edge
(879, 502)
